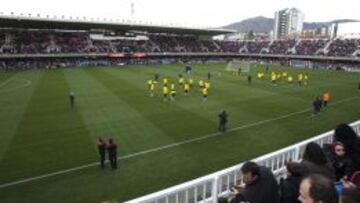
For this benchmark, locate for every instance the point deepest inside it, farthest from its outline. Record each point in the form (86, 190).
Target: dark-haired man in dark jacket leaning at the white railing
(260, 185)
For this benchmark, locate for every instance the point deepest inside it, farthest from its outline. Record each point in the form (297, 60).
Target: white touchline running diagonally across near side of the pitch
(165, 146)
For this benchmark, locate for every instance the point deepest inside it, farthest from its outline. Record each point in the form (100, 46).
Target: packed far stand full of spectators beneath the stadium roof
(49, 42)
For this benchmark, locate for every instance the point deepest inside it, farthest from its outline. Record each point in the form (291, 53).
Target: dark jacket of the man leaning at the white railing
(263, 190)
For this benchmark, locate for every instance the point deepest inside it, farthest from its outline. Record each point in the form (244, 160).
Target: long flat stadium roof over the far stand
(13, 21)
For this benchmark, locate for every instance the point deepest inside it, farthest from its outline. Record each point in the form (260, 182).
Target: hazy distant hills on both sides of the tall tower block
(262, 24)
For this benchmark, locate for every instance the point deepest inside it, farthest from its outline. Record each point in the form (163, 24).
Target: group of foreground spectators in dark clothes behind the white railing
(325, 174)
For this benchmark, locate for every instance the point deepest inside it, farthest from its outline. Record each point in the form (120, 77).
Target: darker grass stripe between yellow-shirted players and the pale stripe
(159, 115)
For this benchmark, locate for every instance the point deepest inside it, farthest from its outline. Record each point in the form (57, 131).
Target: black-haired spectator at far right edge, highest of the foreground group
(346, 135)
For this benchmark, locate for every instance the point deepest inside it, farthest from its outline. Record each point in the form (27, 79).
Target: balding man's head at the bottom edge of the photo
(317, 189)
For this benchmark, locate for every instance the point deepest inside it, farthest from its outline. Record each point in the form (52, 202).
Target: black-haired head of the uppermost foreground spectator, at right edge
(345, 134)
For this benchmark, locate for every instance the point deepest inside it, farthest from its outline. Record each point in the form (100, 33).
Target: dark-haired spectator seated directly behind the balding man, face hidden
(315, 160)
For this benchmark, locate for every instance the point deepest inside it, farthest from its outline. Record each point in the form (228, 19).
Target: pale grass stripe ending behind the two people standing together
(107, 115)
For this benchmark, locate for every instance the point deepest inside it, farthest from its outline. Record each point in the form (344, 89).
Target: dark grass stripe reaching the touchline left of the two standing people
(47, 119)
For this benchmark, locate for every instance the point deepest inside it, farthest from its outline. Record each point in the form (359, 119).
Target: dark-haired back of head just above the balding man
(313, 153)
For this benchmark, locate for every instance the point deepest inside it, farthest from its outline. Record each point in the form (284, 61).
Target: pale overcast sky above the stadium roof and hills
(199, 13)
